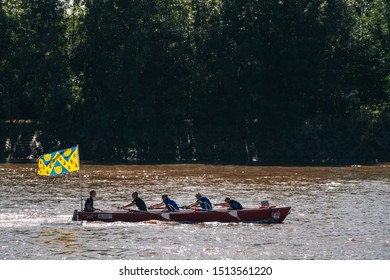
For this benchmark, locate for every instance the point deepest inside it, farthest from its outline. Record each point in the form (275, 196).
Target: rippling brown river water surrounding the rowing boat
(337, 213)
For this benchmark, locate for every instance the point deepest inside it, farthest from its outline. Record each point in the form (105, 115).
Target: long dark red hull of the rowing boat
(255, 215)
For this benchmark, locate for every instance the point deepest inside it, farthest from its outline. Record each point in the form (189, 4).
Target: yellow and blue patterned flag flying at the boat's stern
(60, 162)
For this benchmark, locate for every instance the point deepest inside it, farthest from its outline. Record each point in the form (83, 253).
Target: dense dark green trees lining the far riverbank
(216, 81)
